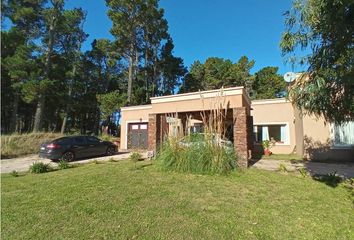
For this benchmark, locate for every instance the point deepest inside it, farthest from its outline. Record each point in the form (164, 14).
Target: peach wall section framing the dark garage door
(131, 115)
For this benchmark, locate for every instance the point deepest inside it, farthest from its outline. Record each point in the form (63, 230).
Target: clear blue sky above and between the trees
(211, 28)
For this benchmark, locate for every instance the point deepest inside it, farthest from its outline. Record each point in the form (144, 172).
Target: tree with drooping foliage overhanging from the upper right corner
(326, 29)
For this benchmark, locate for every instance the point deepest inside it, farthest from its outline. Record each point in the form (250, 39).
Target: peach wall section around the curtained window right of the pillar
(275, 112)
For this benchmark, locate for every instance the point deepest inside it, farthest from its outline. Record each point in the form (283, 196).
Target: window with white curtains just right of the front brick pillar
(274, 132)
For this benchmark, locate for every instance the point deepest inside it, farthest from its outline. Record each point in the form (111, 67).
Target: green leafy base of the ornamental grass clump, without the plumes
(202, 157)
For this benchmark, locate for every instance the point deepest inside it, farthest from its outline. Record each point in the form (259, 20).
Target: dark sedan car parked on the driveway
(73, 147)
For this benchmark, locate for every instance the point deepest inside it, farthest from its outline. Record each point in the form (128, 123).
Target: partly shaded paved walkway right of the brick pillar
(342, 169)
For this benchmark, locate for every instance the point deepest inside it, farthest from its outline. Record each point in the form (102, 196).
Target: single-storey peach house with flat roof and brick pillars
(247, 124)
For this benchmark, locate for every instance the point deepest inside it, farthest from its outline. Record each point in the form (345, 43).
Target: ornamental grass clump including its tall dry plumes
(203, 153)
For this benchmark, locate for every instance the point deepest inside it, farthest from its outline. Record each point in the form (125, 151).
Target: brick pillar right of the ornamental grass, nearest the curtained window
(242, 138)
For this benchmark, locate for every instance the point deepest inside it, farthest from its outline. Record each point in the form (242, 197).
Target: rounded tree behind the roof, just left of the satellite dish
(268, 83)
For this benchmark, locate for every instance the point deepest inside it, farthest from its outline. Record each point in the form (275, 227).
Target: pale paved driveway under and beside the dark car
(22, 164)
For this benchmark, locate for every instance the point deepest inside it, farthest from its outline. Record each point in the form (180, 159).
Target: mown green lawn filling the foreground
(114, 201)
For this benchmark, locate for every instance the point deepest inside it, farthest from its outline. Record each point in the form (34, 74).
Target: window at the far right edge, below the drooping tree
(343, 135)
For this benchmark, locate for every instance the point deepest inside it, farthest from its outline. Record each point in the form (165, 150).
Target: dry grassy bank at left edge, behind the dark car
(15, 145)
